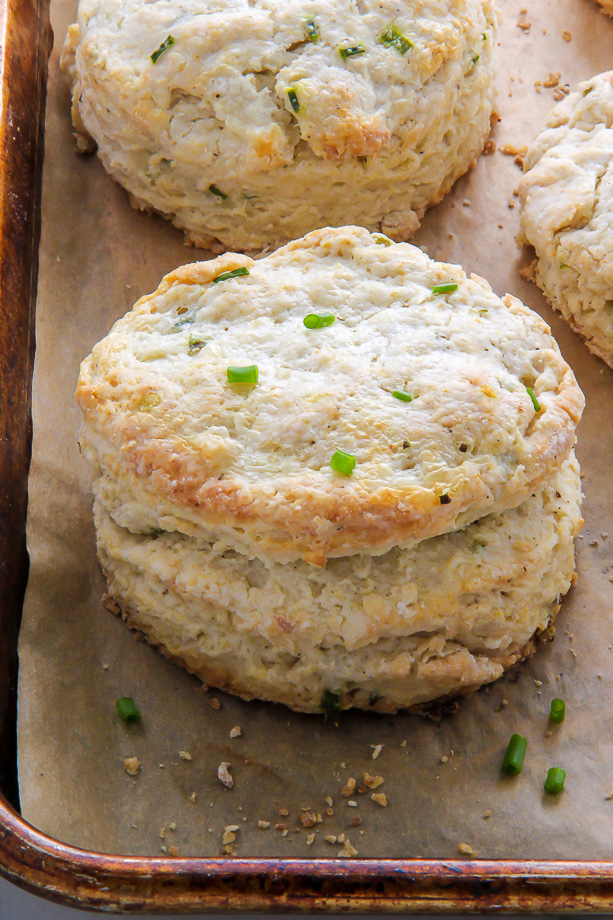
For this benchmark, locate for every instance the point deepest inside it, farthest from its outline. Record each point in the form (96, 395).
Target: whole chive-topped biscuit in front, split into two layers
(342, 475)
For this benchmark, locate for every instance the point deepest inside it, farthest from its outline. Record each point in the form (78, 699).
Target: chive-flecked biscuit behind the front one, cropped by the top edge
(251, 123)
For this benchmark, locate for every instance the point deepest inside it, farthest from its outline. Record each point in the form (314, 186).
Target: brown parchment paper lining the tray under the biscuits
(441, 778)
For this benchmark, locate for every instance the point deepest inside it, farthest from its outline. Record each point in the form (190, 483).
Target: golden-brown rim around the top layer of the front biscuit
(340, 521)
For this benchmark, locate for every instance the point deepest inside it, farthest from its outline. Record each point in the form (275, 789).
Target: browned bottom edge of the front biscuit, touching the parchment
(224, 678)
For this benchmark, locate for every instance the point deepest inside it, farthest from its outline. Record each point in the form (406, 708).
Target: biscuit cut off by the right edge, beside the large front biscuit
(567, 211)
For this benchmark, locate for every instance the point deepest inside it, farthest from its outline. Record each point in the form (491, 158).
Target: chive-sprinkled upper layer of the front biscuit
(449, 402)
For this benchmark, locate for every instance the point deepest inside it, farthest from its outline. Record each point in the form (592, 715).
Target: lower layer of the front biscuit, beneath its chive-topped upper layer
(374, 632)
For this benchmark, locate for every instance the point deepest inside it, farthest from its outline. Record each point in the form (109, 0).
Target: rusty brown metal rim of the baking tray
(113, 883)
